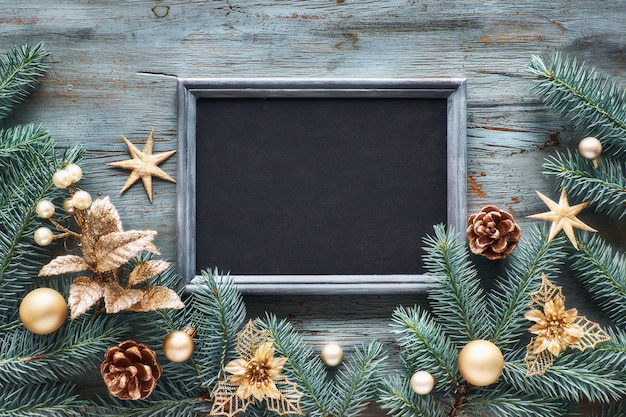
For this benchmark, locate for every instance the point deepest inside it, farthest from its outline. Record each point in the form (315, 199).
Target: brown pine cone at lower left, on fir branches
(130, 370)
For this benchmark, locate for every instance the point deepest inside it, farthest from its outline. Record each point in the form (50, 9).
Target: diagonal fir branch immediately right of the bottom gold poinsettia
(303, 368)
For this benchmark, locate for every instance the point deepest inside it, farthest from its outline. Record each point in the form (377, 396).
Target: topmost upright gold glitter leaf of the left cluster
(101, 220)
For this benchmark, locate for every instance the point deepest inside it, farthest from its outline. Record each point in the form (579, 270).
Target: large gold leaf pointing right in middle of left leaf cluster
(117, 248)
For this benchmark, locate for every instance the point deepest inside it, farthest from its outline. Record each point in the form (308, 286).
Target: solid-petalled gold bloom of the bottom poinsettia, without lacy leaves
(256, 377)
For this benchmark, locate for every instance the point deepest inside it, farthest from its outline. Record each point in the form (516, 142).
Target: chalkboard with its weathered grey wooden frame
(314, 186)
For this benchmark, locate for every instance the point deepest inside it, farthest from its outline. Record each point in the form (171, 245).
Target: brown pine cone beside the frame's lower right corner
(493, 233)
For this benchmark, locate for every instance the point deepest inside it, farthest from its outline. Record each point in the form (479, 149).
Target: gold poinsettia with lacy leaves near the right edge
(556, 328)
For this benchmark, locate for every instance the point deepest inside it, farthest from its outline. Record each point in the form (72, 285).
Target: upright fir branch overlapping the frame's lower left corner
(217, 311)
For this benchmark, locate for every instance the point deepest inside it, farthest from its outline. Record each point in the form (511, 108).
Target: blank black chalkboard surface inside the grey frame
(318, 185)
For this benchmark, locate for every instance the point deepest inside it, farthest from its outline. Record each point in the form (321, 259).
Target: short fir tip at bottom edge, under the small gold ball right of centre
(397, 398)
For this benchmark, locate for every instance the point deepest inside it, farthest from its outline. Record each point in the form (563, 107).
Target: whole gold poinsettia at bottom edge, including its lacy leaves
(256, 375)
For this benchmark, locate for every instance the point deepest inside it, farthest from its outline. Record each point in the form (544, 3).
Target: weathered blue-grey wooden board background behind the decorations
(114, 66)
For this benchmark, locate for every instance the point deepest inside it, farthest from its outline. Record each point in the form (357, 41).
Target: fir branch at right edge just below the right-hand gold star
(602, 272)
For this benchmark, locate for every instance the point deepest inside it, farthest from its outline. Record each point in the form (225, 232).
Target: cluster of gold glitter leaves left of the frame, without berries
(105, 248)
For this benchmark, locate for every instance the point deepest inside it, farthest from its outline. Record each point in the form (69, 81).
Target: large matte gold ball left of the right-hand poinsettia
(481, 363)
